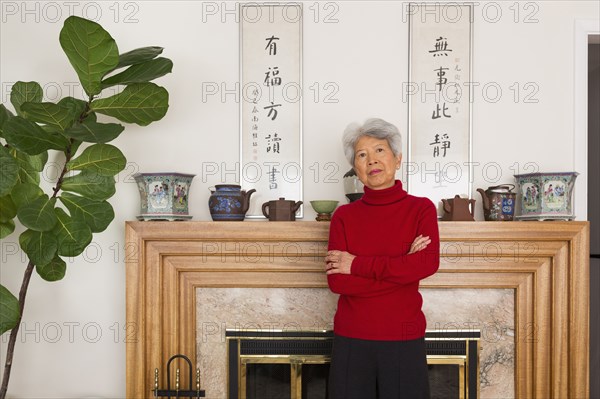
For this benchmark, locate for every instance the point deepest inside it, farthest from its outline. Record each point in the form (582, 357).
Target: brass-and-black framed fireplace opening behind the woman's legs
(295, 364)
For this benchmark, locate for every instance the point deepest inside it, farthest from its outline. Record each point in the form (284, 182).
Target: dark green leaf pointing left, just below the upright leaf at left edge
(30, 138)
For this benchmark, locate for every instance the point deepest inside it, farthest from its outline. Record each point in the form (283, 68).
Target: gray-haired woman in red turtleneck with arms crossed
(380, 247)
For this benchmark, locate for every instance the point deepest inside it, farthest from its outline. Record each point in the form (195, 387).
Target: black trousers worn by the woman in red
(364, 369)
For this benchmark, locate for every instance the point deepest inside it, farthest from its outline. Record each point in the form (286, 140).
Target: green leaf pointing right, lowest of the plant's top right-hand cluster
(139, 103)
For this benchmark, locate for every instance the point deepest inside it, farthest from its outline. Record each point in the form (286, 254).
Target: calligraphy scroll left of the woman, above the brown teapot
(271, 106)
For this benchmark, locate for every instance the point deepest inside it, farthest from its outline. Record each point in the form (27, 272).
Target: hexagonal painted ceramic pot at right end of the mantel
(545, 196)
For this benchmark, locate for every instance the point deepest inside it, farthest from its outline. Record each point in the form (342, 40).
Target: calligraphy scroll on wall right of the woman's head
(439, 97)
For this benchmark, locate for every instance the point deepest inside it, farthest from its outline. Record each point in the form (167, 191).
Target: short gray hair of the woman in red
(374, 127)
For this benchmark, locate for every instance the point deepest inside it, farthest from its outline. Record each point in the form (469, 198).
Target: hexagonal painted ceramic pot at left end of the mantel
(164, 196)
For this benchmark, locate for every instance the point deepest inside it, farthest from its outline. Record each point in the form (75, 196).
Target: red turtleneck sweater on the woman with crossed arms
(380, 299)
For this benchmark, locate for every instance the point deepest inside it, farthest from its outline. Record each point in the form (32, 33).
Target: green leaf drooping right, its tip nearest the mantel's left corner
(97, 214)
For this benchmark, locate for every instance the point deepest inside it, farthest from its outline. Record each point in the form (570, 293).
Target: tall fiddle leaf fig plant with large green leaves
(60, 223)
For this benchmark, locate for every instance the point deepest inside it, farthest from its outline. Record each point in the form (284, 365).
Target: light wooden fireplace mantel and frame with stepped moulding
(545, 263)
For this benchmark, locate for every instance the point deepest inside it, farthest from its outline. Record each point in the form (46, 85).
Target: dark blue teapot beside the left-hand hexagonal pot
(229, 202)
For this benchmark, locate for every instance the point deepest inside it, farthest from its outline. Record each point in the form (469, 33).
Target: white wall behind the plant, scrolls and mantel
(364, 54)
